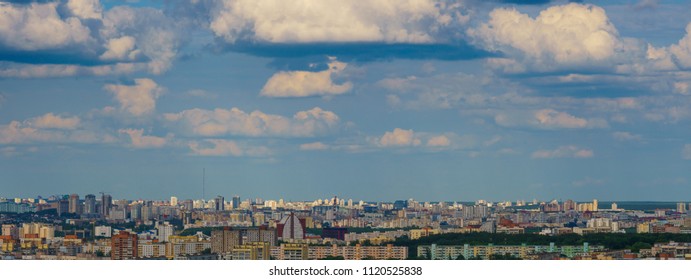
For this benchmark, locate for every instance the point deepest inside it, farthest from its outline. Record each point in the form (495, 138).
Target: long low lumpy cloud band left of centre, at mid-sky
(237, 122)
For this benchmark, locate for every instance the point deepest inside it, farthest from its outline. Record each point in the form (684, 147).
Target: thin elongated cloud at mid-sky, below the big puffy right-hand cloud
(547, 119)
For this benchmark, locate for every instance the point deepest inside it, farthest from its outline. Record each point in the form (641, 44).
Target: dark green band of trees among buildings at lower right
(612, 241)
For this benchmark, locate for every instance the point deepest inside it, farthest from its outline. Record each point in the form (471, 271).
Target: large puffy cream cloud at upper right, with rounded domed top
(572, 34)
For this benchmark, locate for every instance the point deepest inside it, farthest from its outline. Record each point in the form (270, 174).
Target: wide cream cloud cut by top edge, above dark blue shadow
(276, 21)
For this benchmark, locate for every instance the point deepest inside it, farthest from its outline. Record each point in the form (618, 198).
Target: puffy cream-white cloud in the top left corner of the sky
(38, 27)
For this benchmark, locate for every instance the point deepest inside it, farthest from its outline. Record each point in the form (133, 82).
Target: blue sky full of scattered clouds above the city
(369, 100)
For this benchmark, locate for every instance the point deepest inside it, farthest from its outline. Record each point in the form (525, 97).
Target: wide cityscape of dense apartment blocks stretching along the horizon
(70, 227)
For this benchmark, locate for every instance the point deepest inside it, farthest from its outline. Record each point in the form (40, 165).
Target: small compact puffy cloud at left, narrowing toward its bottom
(138, 99)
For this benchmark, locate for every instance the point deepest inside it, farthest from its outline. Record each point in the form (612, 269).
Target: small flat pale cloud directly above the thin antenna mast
(221, 147)
